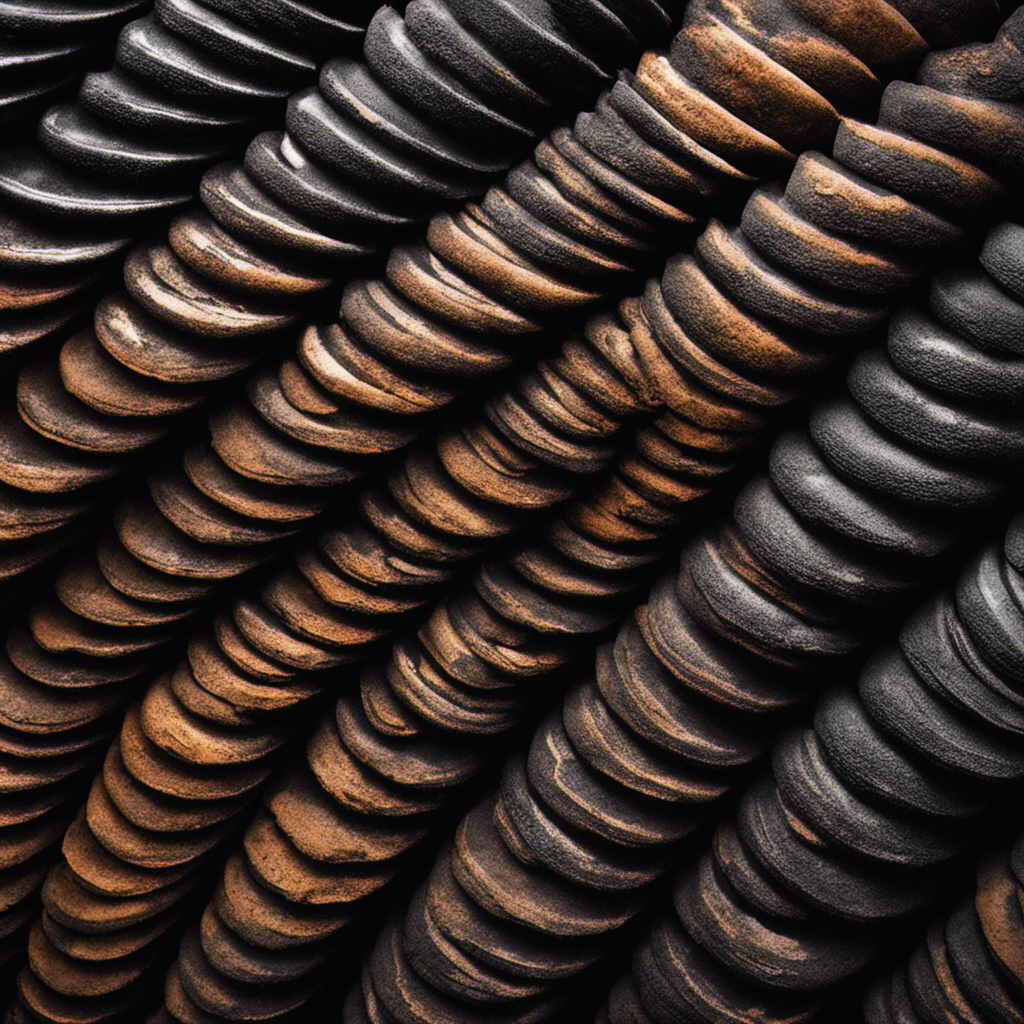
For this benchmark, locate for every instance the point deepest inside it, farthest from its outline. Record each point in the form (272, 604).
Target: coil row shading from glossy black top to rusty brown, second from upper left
(442, 104)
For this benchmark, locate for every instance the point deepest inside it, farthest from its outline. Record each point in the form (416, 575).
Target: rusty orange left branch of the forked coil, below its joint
(190, 755)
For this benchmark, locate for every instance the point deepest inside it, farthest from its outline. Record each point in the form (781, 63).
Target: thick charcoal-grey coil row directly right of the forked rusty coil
(855, 511)
